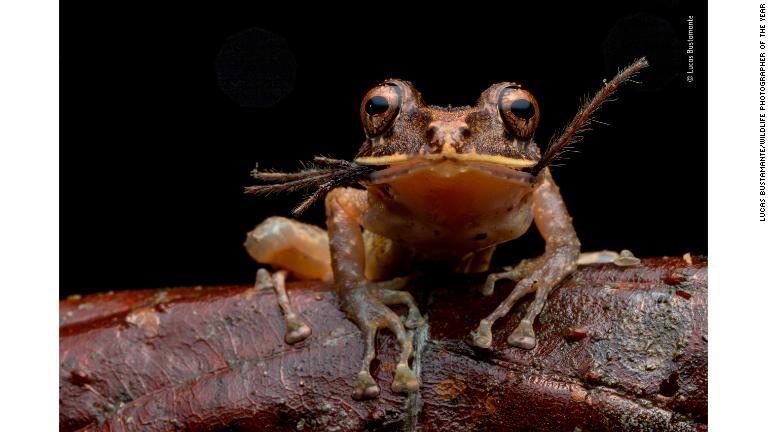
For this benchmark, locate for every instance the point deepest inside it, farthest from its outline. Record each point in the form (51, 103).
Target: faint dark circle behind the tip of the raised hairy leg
(646, 35)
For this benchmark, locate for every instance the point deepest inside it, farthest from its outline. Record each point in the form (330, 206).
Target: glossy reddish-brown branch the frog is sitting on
(621, 348)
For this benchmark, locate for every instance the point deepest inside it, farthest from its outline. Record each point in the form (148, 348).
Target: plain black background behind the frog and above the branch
(157, 154)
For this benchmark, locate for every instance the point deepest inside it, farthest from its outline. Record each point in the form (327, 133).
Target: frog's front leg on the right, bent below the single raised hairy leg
(541, 274)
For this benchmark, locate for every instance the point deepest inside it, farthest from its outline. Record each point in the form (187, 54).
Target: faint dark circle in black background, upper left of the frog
(255, 68)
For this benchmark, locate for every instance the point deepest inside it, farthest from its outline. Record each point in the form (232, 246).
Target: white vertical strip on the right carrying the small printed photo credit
(738, 245)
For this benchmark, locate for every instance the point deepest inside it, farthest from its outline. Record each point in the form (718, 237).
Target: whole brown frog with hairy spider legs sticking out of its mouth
(429, 184)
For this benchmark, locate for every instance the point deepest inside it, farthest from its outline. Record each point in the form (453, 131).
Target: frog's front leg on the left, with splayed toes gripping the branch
(366, 302)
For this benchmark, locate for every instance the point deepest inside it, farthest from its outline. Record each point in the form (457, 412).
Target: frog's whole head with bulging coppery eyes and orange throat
(432, 161)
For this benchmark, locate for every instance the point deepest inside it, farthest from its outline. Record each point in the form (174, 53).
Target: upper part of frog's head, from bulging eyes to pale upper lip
(400, 127)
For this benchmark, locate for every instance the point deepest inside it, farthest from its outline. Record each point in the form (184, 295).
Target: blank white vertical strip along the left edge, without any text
(29, 214)
